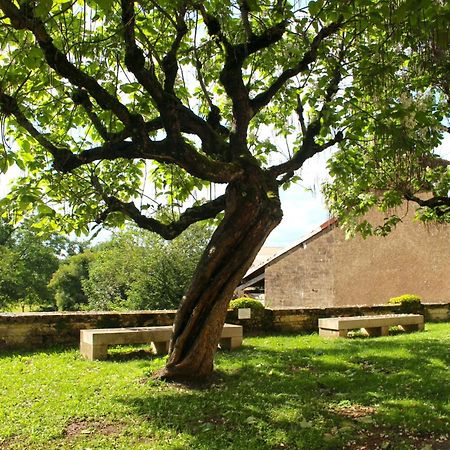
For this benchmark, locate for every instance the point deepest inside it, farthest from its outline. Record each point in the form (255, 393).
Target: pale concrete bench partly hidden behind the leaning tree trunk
(94, 343)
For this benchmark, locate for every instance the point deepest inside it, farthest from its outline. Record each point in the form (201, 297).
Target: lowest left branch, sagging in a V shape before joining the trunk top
(168, 231)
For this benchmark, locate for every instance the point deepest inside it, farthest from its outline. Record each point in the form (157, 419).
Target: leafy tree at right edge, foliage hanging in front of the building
(400, 109)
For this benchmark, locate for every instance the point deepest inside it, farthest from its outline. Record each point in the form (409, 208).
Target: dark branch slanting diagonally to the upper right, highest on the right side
(309, 57)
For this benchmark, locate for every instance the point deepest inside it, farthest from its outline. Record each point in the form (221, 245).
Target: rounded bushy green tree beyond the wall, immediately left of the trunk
(140, 270)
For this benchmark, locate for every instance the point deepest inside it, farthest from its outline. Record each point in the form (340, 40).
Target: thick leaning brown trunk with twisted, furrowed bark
(252, 212)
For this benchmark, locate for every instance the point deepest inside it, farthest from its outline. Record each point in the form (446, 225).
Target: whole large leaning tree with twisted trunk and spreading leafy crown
(183, 94)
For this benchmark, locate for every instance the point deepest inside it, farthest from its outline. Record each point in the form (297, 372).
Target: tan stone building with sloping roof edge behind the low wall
(323, 269)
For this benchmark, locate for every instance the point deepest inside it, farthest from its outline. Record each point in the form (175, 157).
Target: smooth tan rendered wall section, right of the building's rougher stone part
(412, 259)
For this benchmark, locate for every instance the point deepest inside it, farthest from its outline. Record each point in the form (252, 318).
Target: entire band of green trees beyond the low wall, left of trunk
(135, 269)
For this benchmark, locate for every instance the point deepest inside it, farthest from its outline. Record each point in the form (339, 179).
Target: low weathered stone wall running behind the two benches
(44, 330)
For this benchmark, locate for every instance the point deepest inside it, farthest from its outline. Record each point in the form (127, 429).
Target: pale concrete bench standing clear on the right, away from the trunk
(374, 325)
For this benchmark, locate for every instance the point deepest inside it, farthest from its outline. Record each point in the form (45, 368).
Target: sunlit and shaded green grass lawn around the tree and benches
(276, 392)
